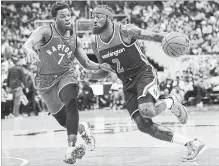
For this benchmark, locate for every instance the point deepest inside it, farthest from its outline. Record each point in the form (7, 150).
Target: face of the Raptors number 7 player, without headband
(63, 18)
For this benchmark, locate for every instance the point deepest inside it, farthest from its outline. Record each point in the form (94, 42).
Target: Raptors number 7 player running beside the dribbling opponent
(56, 47)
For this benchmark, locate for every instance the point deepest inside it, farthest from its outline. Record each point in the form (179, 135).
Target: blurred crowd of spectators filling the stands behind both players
(196, 83)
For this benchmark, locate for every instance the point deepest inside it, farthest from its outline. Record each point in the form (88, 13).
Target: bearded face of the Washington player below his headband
(99, 23)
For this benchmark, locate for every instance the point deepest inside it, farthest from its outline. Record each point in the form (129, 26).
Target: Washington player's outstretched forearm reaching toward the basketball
(150, 36)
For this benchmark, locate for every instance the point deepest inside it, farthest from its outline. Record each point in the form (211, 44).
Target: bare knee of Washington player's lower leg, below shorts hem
(143, 124)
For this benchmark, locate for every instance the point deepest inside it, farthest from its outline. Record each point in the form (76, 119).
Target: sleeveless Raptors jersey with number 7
(57, 54)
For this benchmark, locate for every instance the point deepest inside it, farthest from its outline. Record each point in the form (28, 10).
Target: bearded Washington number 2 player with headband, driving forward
(116, 45)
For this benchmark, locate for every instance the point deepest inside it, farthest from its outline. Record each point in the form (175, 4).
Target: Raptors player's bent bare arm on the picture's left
(35, 38)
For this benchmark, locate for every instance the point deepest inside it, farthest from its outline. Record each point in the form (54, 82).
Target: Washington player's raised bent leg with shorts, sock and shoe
(149, 105)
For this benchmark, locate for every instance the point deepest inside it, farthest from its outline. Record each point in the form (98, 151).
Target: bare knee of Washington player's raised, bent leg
(147, 110)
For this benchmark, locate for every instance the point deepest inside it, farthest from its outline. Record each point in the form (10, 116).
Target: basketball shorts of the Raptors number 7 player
(49, 87)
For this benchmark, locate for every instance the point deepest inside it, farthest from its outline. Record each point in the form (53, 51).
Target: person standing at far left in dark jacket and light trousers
(16, 82)
